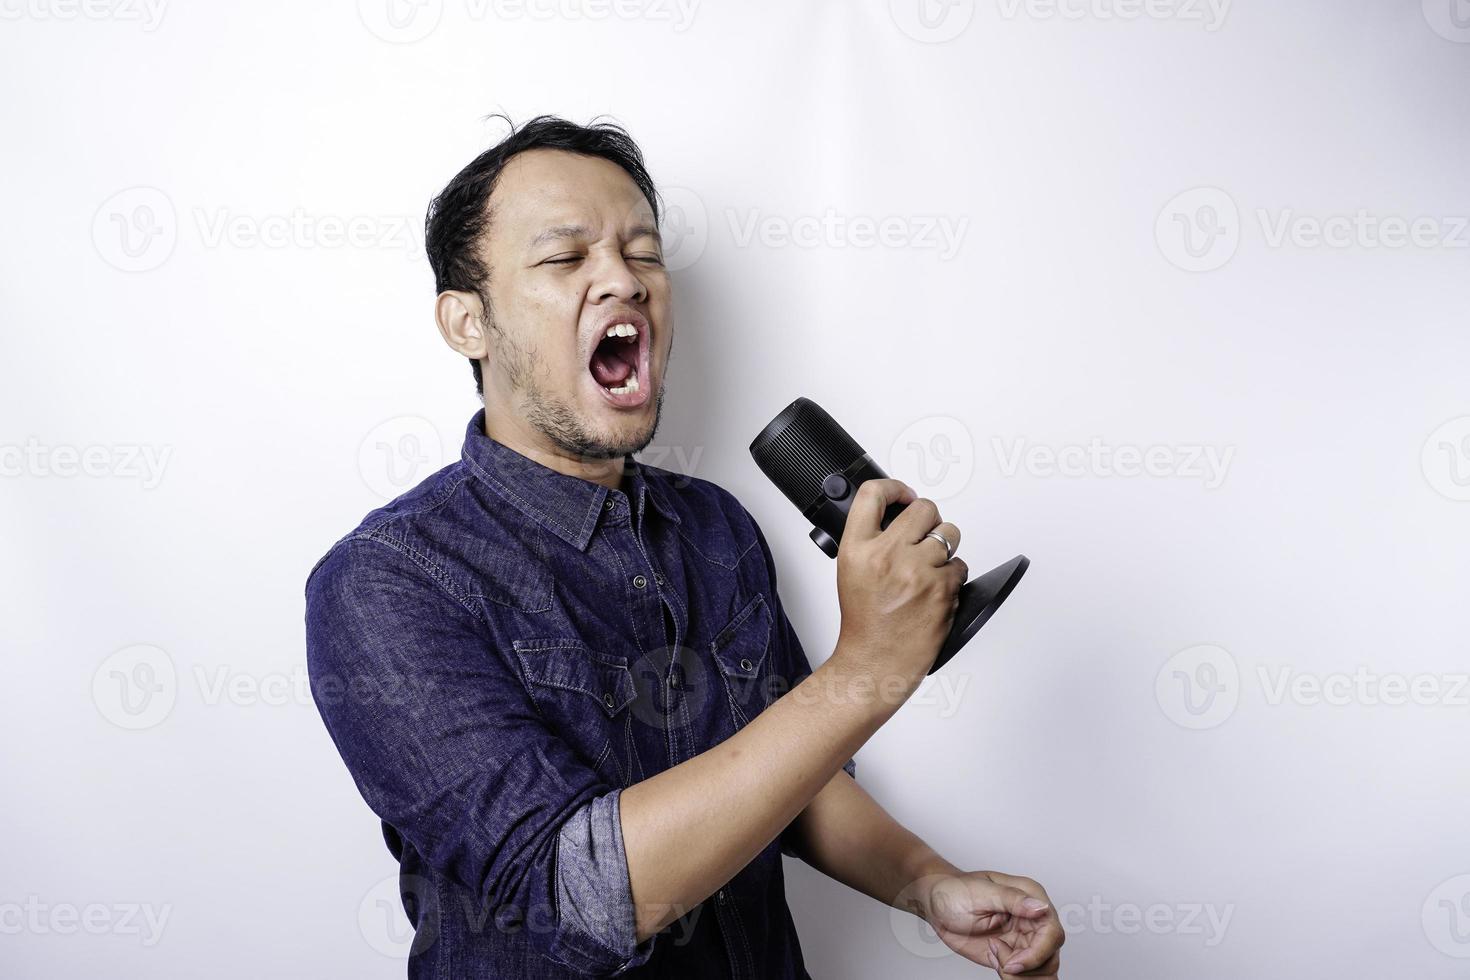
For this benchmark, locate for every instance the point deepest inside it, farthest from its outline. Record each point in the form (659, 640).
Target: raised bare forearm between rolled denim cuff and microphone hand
(693, 828)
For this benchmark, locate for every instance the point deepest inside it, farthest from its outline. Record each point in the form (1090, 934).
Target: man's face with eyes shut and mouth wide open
(573, 251)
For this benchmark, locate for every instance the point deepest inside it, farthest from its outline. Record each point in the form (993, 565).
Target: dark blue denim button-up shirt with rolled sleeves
(498, 655)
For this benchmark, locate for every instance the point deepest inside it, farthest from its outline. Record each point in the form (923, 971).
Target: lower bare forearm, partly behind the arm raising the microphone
(850, 838)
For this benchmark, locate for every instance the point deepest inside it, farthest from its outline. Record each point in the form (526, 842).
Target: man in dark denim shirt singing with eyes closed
(564, 678)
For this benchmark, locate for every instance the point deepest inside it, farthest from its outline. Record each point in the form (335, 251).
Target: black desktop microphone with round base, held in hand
(820, 468)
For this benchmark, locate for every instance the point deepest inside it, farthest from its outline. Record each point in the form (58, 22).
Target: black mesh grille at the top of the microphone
(800, 449)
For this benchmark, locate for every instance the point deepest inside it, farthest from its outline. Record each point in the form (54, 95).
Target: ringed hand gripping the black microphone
(899, 587)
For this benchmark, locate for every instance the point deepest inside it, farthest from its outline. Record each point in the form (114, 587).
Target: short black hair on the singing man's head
(459, 215)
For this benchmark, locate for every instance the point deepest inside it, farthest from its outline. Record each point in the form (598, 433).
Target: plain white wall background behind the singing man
(171, 287)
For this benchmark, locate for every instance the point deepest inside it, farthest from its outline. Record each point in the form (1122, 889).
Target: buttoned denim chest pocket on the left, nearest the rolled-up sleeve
(584, 696)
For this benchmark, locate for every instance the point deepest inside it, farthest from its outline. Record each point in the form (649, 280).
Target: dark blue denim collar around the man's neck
(567, 506)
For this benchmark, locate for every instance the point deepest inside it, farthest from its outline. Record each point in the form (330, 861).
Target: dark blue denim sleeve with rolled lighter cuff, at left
(446, 746)
